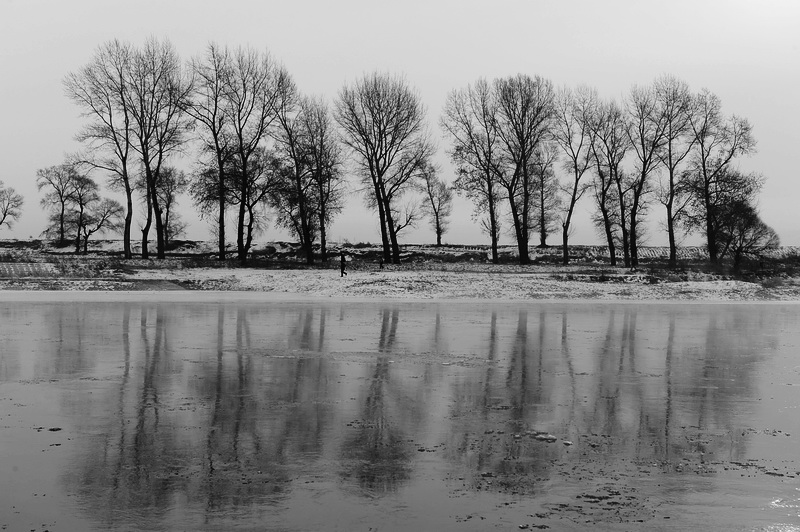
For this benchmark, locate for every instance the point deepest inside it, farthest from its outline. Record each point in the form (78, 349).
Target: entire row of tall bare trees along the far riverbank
(524, 152)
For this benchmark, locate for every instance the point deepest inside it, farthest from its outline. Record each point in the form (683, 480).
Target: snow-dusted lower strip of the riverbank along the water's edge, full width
(423, 284)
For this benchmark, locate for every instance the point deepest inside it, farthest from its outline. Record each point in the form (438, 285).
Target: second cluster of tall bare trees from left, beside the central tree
(265, 143)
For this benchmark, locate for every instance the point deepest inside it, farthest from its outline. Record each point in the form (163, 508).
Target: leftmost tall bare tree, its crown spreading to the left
(101, 90)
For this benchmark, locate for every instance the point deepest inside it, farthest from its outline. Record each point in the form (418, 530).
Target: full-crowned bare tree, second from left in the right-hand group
(524, 111)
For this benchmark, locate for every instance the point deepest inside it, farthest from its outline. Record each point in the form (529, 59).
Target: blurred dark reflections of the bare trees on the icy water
(217, 409)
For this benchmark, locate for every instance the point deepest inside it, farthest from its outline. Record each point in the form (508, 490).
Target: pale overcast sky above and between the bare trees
(747, 52)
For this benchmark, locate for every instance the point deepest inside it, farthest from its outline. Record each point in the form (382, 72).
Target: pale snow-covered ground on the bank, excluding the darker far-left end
(462, 285)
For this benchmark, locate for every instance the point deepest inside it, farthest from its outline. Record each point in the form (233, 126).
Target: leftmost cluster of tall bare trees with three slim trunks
(133, 100)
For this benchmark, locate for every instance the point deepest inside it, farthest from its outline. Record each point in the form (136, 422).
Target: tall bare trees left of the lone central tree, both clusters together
(261, 141)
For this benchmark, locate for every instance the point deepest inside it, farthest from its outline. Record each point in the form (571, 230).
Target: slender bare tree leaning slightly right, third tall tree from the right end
(647, 126)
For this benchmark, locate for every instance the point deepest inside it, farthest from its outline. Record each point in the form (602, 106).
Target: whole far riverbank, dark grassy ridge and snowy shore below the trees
(427, 273)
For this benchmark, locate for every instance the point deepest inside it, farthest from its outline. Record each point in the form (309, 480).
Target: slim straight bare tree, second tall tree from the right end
(675, 101)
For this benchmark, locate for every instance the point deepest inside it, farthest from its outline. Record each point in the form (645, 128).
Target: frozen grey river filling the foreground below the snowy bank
(240, 412)
